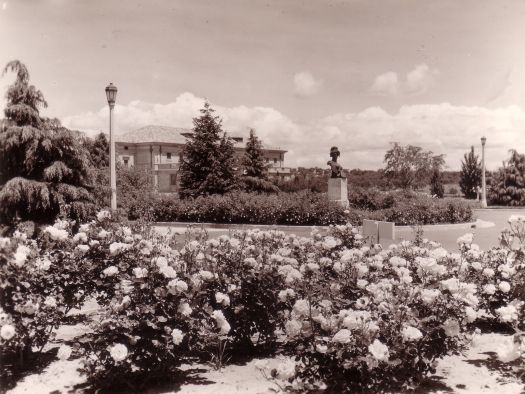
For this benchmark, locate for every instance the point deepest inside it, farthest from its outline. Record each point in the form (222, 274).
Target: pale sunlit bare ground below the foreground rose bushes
(476, 371)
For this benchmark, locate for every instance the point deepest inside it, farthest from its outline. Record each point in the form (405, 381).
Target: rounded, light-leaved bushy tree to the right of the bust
(410, 167)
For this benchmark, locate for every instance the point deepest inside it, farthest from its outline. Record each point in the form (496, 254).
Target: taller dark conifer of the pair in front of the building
(207, 164)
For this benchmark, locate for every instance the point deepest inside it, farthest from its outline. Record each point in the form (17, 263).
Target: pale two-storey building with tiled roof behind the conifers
(157, 149)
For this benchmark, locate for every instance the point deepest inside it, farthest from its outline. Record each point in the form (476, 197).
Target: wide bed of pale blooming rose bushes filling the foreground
(349, 317)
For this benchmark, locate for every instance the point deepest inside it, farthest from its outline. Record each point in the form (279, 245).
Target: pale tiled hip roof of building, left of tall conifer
(150, 134)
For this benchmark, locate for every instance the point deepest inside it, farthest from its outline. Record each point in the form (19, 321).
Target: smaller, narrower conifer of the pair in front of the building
(255, 170)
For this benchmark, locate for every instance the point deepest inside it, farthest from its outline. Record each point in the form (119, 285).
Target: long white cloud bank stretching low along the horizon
(362, 137)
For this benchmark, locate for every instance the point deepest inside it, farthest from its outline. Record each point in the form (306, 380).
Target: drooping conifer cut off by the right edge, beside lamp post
(508, 184)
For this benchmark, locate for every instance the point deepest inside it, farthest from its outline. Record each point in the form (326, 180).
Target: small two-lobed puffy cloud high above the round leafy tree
(416, 81)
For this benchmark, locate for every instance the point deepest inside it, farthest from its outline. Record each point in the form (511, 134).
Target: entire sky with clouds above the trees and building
(306, 75)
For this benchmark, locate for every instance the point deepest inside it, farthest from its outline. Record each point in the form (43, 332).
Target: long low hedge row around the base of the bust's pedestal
(302, 208)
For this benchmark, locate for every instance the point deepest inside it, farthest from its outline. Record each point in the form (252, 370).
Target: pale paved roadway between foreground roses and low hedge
(488, 226)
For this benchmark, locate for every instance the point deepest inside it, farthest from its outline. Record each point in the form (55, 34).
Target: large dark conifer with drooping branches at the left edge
(44, 169)
